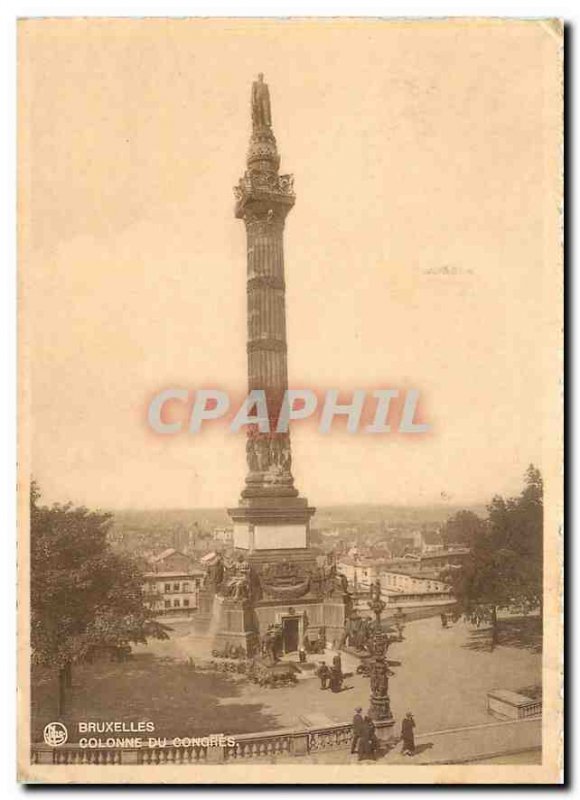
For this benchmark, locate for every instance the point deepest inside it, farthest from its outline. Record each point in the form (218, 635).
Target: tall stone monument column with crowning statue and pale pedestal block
(270, 516)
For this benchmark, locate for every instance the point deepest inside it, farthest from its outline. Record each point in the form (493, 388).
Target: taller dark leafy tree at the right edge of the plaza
(505, 566)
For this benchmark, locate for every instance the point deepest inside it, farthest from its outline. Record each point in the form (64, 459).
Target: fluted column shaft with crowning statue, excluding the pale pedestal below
(264, 198)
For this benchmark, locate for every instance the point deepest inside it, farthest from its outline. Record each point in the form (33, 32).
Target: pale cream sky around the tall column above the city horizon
(420, 252)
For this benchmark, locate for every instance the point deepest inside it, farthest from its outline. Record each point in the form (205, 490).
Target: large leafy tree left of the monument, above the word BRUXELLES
(83, 594)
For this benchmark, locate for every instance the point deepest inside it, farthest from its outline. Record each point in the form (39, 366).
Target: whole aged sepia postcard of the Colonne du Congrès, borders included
(290, 478)
